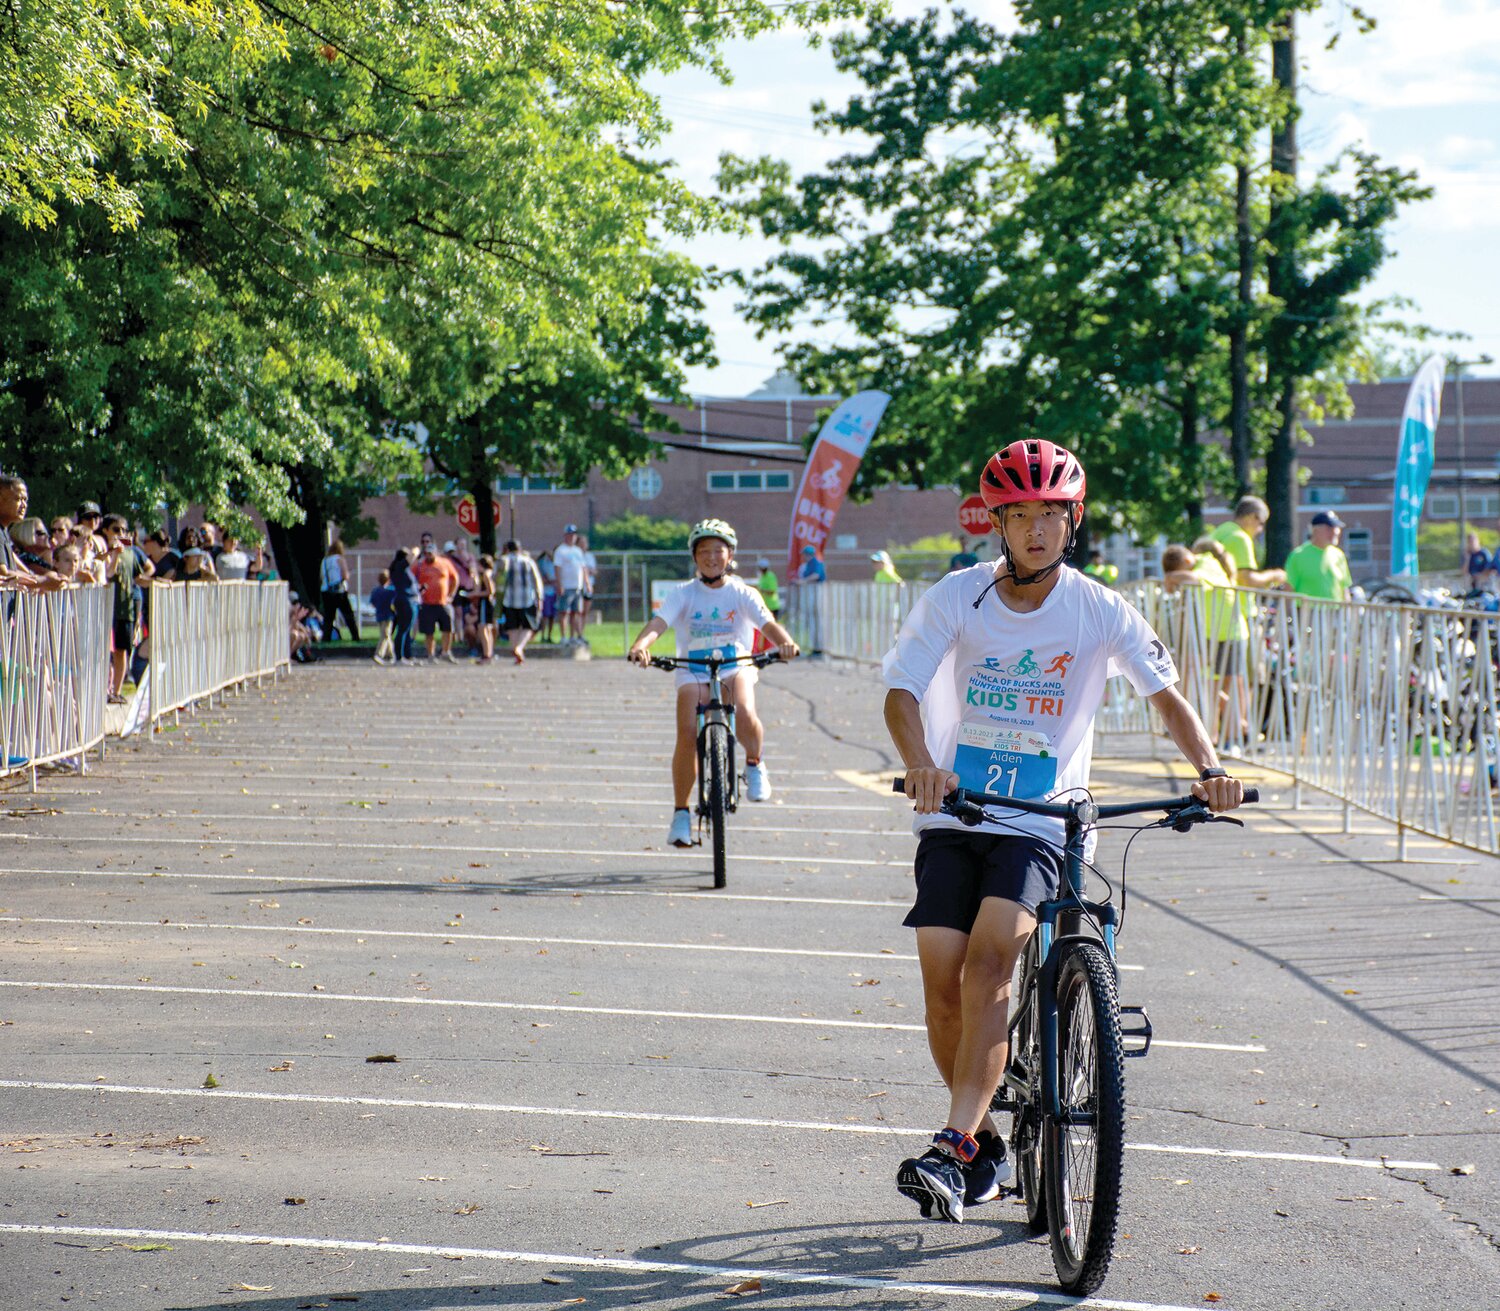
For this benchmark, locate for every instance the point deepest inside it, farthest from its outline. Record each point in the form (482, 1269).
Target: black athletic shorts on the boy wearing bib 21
(956, 871)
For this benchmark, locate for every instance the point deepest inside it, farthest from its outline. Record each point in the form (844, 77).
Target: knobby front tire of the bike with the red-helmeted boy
(1082, 1163)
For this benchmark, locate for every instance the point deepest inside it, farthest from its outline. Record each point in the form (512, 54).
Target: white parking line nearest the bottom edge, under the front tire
(766, 1274)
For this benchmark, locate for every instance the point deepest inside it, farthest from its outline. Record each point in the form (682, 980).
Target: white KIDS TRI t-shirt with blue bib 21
(1009, 700)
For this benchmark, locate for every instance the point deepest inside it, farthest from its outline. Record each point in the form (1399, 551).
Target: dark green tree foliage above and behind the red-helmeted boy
(1042, 242)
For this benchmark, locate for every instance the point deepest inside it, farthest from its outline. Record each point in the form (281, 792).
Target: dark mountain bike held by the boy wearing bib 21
(1064, 1079)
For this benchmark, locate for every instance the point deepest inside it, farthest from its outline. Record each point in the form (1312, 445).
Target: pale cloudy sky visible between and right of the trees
(1423, 91)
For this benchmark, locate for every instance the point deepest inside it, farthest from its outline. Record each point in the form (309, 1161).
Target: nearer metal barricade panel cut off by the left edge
(55, 656)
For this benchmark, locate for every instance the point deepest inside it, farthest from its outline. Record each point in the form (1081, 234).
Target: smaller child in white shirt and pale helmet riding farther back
(713, 614)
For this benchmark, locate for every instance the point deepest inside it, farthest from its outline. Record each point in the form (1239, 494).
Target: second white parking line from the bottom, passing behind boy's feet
(307, 1099)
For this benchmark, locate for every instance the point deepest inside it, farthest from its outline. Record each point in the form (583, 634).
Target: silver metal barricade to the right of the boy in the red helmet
(1388, 709)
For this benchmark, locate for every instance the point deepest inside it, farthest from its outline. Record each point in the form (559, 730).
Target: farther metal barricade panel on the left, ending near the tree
(208, 638)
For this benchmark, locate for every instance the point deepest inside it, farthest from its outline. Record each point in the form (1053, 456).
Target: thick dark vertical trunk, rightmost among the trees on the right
(1282, 271)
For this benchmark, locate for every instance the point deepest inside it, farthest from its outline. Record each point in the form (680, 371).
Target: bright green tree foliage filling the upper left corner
(224, 307)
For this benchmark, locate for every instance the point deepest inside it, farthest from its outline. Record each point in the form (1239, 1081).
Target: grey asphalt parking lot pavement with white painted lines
(380, 988)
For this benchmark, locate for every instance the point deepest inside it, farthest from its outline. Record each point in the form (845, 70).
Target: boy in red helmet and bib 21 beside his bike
(994, 686)
